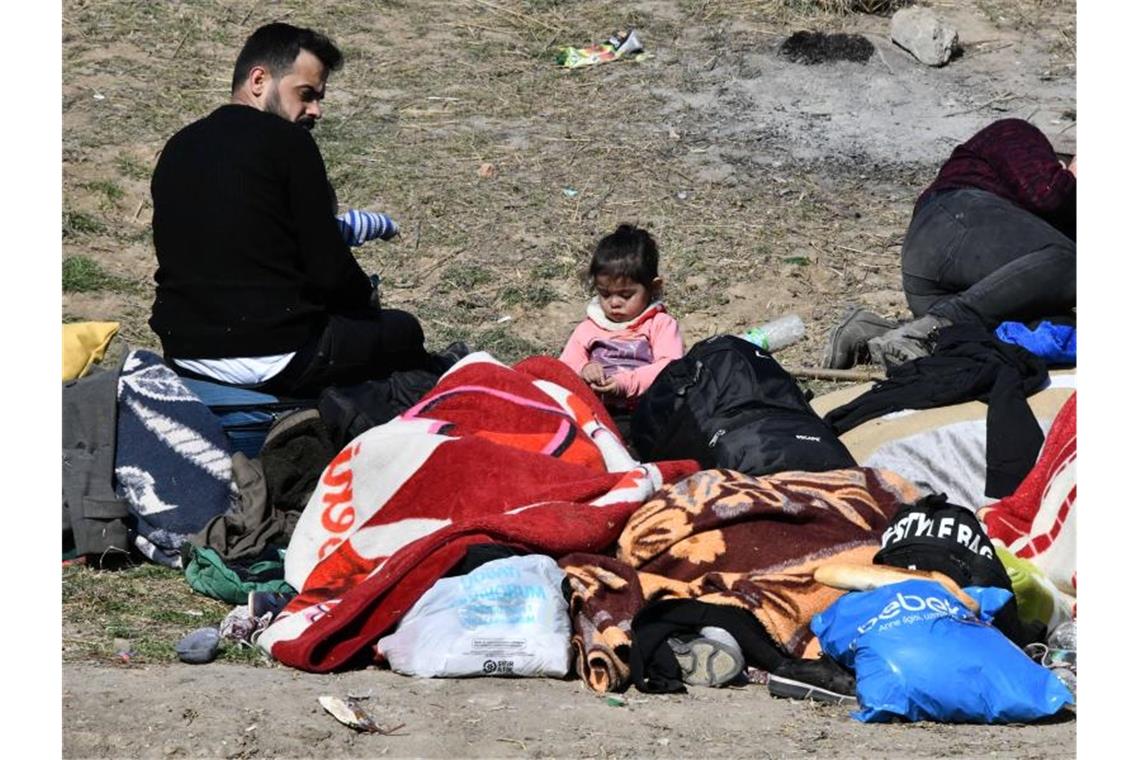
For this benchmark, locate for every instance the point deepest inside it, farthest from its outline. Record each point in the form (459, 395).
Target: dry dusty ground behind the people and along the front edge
(771, 186)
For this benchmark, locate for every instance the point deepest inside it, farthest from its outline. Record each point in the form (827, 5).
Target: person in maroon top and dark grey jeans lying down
(992, 240)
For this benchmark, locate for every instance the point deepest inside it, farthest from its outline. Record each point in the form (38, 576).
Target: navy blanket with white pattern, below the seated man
(173, 461)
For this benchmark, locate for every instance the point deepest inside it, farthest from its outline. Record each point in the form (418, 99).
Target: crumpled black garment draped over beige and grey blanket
(968, 364)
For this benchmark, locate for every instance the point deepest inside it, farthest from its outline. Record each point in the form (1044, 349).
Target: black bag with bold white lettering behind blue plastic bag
(934, 535)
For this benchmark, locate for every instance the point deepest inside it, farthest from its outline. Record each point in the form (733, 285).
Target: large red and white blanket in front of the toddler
(524, 456)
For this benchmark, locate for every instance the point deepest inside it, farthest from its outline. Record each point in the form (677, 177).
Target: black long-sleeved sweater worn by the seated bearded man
(251, 259)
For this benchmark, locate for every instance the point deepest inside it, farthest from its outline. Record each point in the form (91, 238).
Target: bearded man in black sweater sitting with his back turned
(256, 284)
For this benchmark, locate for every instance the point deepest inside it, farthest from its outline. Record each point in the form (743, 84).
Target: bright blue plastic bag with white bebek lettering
(919, 653)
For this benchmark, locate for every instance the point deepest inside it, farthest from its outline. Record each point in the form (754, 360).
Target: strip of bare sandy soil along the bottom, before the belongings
(231, 712)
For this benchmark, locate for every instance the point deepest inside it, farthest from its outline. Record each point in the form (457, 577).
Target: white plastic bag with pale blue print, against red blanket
(506, 618)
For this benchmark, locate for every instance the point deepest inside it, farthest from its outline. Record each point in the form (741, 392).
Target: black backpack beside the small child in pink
(729, 404)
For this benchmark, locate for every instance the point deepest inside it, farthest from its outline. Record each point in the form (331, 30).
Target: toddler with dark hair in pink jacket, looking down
(628, 338)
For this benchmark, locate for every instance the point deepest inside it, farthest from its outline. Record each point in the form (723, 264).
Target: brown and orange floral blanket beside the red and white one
(727, 538)
